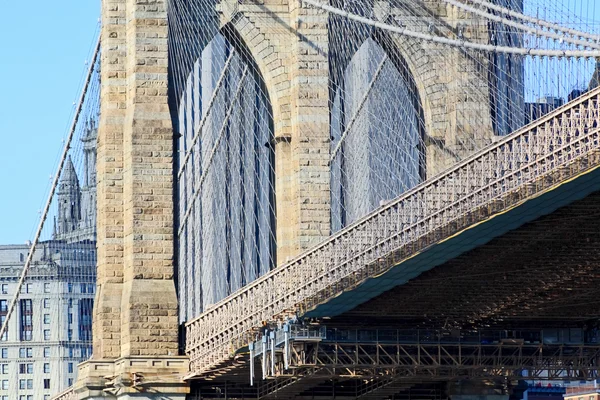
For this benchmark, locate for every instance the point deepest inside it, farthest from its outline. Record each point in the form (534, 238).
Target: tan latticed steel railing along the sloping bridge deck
(515, 168)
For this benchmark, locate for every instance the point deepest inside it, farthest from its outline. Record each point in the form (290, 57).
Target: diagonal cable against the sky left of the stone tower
(61, 164)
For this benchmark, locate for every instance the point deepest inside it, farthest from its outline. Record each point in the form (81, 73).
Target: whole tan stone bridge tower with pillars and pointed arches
(135, 316)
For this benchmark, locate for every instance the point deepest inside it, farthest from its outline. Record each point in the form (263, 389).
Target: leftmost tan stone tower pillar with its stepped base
(135, 317)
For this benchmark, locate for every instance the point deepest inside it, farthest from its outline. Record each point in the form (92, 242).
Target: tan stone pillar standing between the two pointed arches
(303, 205)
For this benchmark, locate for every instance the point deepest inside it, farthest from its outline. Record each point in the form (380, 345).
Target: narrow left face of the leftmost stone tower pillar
(107, 310)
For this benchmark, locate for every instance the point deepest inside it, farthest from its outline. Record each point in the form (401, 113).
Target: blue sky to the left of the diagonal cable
(44, 45)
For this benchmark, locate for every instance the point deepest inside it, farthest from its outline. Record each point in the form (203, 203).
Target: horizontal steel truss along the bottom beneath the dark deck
(363, 369)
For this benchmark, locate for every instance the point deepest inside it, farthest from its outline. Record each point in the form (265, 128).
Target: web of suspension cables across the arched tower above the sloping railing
(298, 118)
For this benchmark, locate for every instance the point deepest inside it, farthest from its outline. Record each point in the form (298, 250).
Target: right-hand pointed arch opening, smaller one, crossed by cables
(377, 127)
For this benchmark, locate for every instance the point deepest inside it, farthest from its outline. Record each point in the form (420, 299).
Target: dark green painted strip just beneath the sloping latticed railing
(470, 238)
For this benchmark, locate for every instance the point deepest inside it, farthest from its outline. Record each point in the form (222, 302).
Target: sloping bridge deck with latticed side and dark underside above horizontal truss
(505, 238)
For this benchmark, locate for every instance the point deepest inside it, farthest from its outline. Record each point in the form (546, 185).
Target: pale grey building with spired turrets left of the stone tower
(50, 330)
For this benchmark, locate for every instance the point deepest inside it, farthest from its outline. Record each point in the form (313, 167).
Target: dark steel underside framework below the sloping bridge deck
(548, 279)
